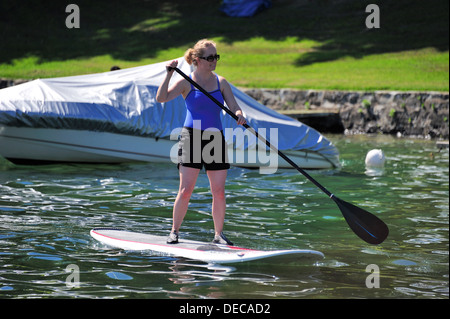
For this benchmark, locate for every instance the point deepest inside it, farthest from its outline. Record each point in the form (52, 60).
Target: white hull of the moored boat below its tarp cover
(78, 146)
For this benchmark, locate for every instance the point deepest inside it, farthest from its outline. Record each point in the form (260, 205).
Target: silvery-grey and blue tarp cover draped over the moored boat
(124, 102)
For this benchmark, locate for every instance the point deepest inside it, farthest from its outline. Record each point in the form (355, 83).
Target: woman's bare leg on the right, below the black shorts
(217, 183)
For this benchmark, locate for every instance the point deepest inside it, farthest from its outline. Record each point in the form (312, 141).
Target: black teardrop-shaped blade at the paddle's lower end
(364, 224)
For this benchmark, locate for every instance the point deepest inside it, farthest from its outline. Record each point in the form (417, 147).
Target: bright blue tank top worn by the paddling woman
(201, 108)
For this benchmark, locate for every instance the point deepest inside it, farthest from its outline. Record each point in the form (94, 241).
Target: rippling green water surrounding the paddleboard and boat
(46, 213)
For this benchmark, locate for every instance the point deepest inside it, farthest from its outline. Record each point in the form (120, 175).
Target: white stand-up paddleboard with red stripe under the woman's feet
(207, 252)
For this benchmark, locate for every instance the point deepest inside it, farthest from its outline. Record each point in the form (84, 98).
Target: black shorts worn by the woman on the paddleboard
(199, 149)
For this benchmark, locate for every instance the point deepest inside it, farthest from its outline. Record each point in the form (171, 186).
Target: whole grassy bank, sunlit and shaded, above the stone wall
(321, 44)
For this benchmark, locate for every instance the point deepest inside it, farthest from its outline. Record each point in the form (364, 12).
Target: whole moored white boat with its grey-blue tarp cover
(113, 117)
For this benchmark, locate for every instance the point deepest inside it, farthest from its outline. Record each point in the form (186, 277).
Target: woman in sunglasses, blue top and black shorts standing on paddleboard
(202, 116)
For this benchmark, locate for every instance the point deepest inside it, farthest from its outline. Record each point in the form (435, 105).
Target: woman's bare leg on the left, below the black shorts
(188, 178)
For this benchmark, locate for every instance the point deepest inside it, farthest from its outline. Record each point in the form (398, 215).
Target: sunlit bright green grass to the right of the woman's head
(425, 69)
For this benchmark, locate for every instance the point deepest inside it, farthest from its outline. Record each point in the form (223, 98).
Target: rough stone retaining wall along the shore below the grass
(419, 114)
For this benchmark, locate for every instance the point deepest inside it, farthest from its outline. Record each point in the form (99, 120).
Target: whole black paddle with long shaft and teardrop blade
(364, 224)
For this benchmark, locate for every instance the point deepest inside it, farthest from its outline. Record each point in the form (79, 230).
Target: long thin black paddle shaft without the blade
(248, 127)
